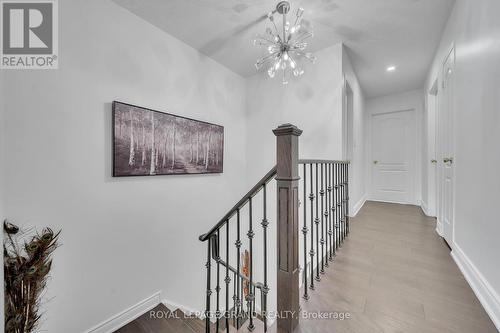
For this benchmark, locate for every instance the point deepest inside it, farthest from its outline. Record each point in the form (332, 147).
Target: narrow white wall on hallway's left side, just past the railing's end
(357, 181)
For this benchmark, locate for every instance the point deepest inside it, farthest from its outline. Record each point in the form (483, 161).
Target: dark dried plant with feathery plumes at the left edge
(27, 263)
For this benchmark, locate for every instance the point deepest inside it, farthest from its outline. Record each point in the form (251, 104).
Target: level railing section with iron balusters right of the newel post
(325, 186)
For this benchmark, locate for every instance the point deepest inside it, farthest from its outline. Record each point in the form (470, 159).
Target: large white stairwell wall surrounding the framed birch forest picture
(123, 238)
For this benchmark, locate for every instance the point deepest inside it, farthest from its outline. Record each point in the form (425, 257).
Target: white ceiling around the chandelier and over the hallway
(377, 33)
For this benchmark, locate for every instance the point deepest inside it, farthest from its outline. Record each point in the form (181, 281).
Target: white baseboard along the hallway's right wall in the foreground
(481, 287)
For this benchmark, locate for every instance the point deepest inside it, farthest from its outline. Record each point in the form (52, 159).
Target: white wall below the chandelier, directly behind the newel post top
(313, 103)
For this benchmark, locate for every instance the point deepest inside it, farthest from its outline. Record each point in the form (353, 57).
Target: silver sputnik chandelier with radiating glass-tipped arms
(287, 47)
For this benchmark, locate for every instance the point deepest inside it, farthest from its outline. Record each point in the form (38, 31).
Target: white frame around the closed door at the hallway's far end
(414, 168)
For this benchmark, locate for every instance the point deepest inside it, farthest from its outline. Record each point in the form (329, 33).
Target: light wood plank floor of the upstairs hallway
(395, 274)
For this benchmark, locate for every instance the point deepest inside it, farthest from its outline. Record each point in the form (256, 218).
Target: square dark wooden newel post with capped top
(288, 229)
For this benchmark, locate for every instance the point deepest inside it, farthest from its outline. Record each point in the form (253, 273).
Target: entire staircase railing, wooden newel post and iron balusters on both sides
(324, 226)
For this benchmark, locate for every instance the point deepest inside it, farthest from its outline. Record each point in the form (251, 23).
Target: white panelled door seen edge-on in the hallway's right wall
(446, 148)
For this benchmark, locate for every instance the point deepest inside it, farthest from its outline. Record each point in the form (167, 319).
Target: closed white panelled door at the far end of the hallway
(393, 156)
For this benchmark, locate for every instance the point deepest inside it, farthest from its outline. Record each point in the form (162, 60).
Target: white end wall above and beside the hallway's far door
(410, 100)
